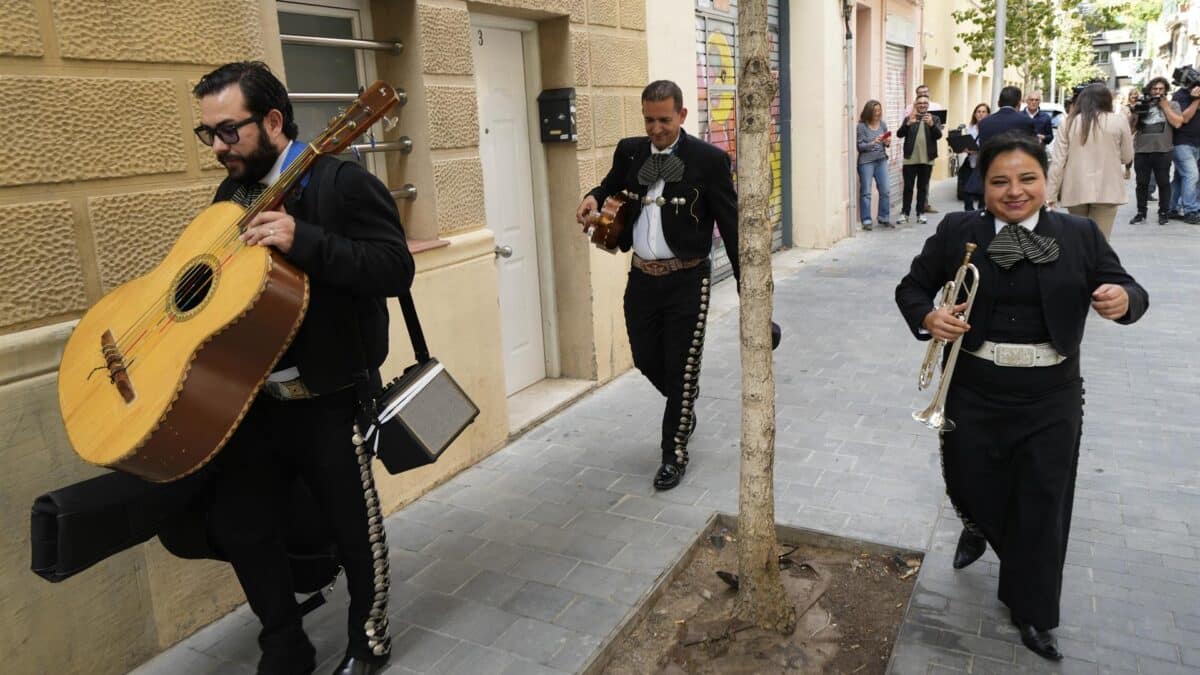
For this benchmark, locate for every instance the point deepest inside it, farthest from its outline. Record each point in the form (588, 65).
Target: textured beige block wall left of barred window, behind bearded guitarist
(105, 176)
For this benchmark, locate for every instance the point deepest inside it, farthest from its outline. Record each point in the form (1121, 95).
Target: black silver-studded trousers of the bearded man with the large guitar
(251, 485)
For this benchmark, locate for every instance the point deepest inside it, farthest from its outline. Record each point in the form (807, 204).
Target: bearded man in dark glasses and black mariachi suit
(343, 230)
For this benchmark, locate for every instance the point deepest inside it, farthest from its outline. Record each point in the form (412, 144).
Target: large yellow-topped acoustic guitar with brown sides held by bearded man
(159, 373)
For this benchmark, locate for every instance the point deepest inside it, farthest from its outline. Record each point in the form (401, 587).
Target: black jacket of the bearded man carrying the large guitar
(350, 242)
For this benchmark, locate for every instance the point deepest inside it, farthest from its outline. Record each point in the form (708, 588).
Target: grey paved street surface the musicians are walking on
(529, 561)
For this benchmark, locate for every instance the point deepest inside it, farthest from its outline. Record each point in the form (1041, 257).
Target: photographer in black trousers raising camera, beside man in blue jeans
(1153, 120)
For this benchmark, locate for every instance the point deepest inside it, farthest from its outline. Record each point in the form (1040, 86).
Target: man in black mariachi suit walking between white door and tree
(676, 188)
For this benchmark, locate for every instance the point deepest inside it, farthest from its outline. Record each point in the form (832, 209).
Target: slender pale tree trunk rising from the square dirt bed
(761, 599)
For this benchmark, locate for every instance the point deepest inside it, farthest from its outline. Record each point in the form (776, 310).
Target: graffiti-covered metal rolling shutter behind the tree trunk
(717, 67)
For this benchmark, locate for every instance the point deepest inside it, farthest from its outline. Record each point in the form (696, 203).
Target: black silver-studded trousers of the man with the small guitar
(665, 319)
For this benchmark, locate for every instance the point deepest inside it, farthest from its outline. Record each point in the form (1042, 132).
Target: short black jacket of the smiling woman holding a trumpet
(1085, 262)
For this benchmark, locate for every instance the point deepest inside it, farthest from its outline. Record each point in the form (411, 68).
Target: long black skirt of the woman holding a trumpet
(1011, 469)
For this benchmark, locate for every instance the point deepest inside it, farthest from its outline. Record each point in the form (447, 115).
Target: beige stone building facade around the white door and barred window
(109, 172)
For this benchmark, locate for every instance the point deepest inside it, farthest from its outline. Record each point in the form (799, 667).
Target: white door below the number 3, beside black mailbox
(508, 195)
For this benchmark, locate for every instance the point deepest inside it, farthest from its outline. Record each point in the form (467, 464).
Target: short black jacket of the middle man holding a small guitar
(707, 186)
